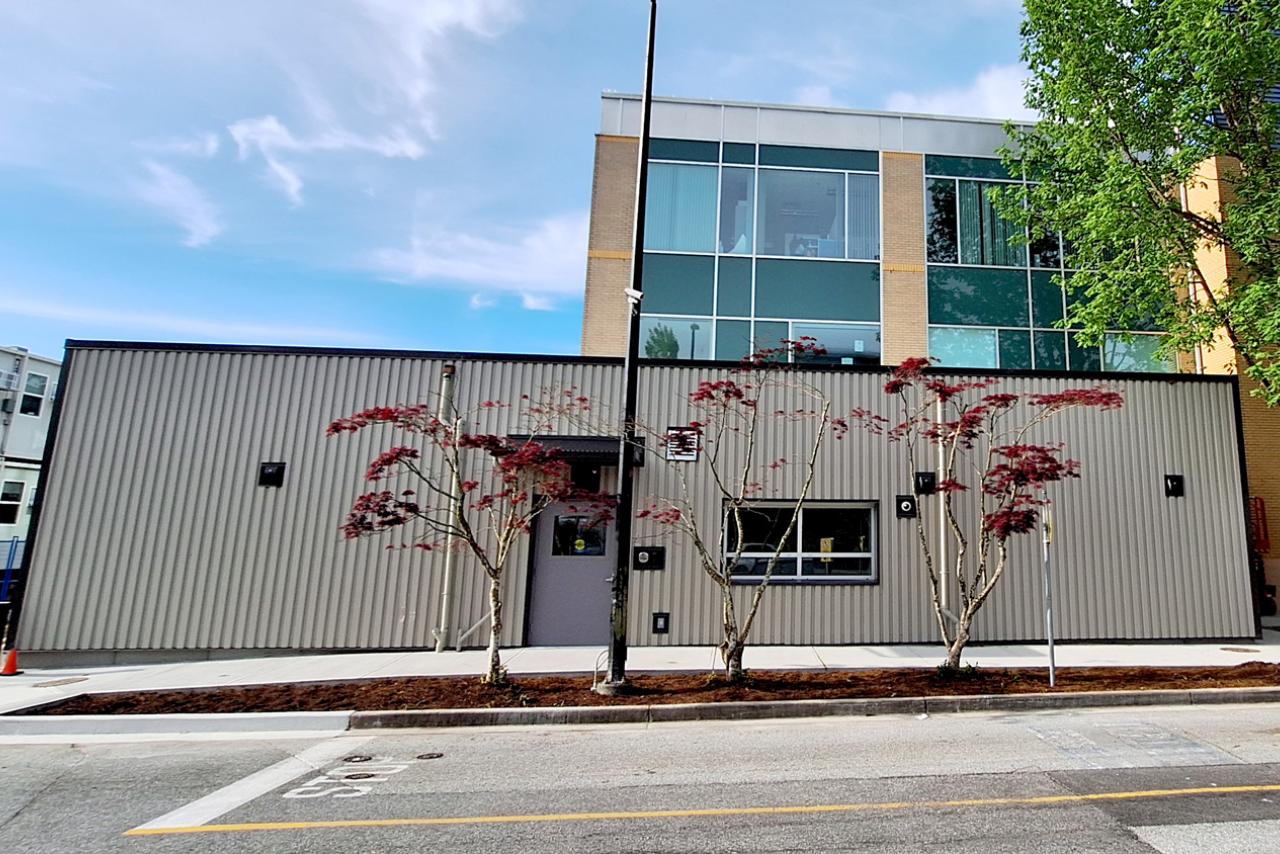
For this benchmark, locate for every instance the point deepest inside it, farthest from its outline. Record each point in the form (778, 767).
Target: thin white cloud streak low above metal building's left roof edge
(99, 318)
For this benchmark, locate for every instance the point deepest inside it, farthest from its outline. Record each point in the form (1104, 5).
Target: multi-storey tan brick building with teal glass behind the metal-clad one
(872, 232)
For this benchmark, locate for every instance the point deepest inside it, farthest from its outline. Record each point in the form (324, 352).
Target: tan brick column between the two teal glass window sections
(904, 321)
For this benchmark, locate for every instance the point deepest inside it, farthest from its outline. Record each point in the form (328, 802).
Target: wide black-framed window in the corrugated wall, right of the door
(836, 542)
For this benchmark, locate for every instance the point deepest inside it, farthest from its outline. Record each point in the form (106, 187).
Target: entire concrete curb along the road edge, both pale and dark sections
(578, 715)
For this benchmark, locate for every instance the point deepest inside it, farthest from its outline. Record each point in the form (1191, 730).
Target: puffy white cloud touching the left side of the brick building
(541, 264)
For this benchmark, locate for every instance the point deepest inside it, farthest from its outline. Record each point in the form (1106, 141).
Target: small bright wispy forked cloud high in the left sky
(271, 138)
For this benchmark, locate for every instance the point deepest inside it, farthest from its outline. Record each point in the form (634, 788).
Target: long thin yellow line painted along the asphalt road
(703, 814)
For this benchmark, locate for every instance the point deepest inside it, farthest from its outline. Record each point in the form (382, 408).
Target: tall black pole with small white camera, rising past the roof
(628, 447)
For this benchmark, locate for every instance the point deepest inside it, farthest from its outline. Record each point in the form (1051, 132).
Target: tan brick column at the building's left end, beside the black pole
(609, 250)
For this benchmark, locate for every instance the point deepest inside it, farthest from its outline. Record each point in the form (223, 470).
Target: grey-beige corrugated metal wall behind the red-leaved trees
(156, 536)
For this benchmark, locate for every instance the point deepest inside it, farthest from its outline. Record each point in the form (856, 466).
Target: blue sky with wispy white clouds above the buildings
(388, 173)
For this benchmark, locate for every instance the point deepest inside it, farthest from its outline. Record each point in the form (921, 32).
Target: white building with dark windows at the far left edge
(28, 387)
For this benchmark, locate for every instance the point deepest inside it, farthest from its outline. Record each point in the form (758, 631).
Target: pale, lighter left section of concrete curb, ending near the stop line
(175, 724)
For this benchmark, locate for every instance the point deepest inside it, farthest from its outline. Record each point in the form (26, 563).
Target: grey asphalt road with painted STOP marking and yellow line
(1173, 780)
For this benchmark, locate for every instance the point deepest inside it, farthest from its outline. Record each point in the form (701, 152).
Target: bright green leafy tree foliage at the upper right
(1135, 98)
